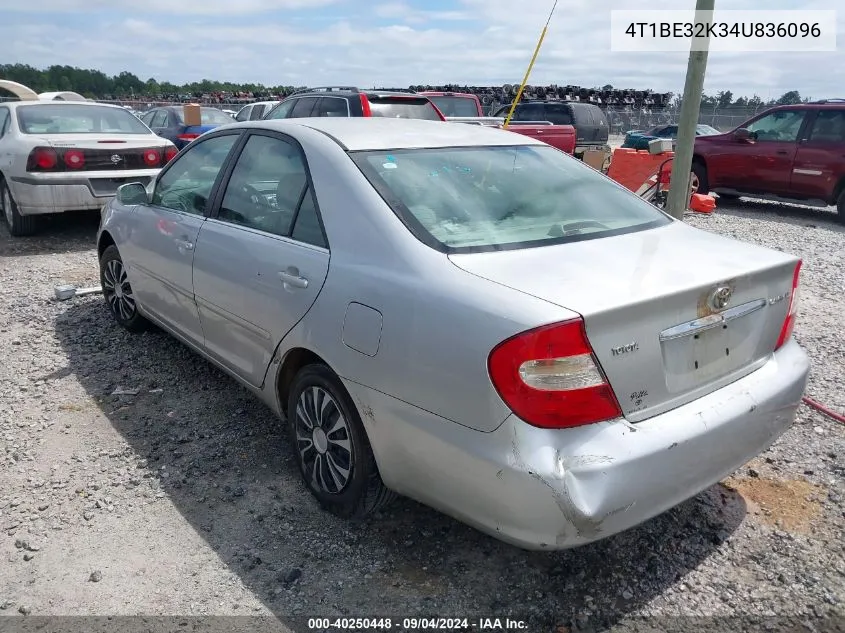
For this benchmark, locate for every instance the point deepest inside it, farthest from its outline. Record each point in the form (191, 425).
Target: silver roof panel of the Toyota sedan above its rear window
(375, 133)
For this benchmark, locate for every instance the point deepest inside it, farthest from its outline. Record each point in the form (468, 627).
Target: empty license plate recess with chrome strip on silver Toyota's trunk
(707, 349)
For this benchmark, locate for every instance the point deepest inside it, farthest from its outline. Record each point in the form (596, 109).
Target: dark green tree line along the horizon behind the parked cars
(95, 84)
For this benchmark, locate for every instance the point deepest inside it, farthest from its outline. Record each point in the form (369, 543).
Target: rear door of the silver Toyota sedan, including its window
(261, 258)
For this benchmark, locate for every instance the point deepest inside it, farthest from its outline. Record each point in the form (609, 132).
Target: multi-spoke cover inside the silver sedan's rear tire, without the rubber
(324, 440)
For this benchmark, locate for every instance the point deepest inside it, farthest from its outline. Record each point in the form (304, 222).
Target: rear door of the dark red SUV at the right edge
(820, 158)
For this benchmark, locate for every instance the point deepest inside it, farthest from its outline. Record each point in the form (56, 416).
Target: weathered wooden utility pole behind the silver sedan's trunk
(679, 184)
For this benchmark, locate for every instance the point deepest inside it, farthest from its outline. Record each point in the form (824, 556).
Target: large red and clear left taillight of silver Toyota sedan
(549, 377)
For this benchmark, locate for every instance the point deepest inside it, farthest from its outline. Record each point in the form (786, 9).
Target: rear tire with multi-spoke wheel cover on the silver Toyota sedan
(331, 446)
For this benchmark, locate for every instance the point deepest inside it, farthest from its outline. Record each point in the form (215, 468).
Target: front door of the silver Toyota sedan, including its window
(160, 251)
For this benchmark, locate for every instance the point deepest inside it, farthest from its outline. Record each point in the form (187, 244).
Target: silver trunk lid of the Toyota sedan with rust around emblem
(646, 299)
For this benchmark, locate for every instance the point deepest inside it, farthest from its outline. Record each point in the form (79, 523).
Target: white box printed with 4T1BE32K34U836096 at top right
(734, 31)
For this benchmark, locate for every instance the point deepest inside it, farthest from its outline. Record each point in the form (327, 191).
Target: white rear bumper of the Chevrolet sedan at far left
(37, 194)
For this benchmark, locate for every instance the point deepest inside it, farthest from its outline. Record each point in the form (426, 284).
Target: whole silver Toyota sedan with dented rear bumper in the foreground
(465, 316)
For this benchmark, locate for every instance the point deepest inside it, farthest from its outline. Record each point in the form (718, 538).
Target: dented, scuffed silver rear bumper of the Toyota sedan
(556, 489)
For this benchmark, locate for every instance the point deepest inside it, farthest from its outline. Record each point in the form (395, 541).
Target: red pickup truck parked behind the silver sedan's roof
(466, 108)
